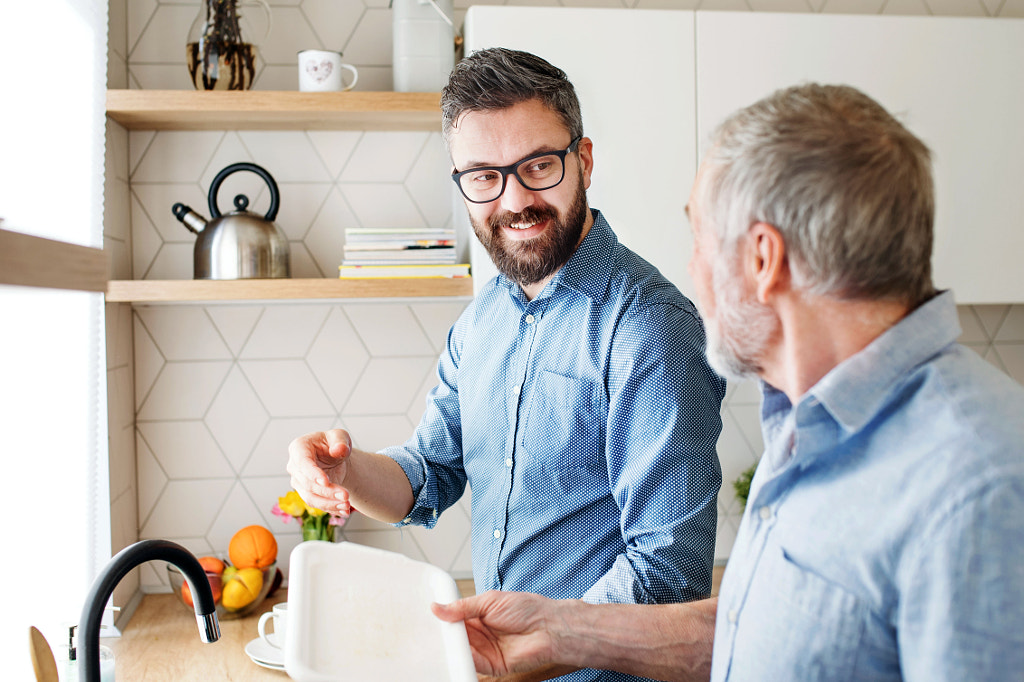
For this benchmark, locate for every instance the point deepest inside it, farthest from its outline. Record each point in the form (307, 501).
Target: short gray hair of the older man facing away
(847, 186)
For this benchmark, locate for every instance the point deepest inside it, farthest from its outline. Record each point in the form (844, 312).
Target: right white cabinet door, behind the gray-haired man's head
(957, 83)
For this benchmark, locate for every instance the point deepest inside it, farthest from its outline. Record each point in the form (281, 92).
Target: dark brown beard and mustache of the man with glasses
(531, 262)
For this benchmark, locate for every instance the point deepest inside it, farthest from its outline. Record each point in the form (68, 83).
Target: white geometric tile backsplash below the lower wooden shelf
(224, 390)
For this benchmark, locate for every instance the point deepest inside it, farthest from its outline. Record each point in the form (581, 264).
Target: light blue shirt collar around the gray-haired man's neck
(857, 390)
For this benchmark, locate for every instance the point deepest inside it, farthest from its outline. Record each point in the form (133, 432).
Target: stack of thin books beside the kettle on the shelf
(401, 253)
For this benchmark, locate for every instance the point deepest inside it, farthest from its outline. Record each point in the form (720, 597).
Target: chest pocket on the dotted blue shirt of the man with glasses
(566, 423)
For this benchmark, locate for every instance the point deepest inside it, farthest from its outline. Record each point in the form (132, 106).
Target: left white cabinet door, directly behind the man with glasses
(633, 71)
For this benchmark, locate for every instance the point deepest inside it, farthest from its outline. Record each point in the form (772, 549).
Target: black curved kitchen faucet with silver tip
(125, 561)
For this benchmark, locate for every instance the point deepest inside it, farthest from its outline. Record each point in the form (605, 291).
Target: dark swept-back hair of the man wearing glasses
(499, 78)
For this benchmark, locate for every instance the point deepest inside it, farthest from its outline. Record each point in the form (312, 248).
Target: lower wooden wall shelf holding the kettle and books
(184, 291)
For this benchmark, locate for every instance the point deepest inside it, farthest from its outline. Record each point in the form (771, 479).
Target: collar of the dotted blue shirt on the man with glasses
(588, 270)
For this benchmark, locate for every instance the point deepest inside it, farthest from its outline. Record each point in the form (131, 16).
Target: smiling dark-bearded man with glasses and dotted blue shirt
(575, 398)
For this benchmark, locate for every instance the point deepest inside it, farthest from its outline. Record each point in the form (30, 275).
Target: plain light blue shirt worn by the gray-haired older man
(884, 535)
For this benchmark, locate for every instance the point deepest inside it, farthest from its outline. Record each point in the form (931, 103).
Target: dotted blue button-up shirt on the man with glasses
(585, 422)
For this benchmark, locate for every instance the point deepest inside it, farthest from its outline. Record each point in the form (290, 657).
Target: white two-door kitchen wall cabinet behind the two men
(655, 83)
